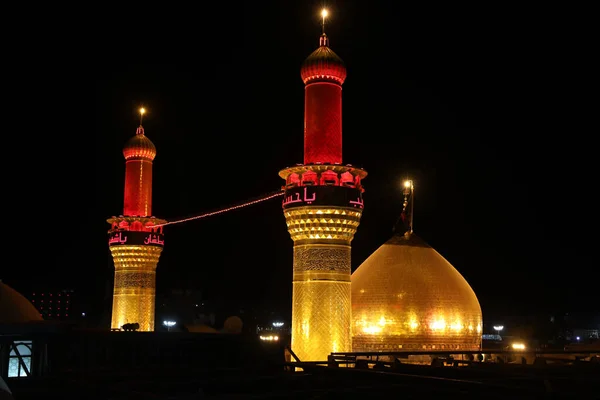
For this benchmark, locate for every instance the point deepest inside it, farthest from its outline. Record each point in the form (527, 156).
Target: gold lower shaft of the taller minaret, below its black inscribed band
(321, 304)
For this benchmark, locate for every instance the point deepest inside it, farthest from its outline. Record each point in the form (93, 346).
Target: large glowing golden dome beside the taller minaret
(406, 296)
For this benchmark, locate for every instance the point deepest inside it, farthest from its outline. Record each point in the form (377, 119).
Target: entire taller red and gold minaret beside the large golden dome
(322, 207)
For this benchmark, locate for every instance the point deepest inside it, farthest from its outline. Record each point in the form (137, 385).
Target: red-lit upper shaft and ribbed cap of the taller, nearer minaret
(323, 73)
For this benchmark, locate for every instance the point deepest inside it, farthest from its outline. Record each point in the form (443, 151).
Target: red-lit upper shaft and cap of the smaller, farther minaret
(139, 153)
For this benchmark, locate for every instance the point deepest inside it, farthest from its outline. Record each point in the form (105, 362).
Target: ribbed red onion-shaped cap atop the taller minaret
(323, 65)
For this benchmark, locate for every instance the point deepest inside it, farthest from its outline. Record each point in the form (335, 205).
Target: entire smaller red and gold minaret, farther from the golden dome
(135, 240)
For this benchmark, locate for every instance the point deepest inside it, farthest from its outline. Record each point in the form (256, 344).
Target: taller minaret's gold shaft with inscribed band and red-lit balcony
(322, 206)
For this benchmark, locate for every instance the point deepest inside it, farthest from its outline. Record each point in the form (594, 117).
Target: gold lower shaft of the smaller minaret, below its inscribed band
(135, 285)
